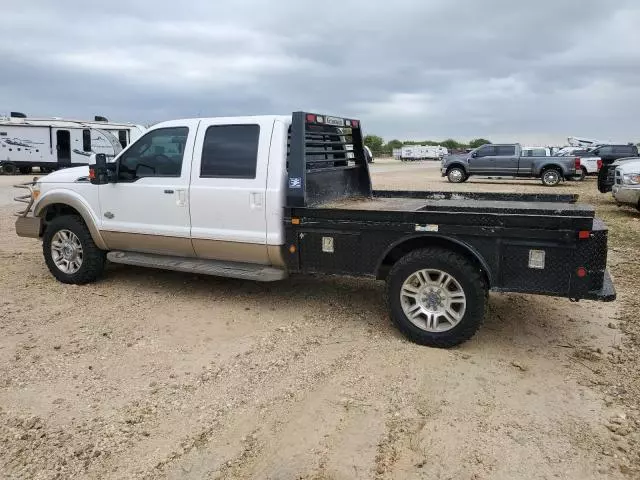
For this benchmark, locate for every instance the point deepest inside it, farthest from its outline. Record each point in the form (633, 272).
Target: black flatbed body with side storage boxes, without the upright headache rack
(526, 243)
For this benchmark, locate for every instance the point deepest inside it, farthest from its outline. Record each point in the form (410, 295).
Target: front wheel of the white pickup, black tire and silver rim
(70, 253)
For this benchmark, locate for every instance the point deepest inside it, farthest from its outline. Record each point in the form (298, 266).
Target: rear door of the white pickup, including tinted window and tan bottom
(228, 189)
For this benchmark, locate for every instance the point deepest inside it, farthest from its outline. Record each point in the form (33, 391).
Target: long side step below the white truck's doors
(245, 271)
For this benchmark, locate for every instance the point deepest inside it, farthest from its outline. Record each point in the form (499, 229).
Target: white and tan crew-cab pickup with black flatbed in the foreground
(266, 197)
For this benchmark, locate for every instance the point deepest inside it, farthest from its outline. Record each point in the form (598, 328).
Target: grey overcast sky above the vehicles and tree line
(534, 72)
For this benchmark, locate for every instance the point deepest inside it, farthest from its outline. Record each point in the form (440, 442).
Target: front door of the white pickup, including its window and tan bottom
(147, 209)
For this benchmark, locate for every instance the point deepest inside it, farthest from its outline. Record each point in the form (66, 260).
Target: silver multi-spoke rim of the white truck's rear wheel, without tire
(433, 300)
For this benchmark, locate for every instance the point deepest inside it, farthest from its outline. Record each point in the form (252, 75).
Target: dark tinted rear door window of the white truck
(230, 151)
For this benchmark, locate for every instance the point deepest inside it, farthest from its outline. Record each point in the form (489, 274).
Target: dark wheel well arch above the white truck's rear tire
(404, 247)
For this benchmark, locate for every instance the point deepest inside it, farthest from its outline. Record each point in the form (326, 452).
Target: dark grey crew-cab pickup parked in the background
(508, 161)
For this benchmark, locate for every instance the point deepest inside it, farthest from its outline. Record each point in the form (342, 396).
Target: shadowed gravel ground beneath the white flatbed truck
(511, 319)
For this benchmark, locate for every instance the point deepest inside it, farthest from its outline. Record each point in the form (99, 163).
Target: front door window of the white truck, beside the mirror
(159, 153)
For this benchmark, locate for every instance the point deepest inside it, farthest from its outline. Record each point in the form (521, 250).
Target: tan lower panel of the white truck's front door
(137, 242)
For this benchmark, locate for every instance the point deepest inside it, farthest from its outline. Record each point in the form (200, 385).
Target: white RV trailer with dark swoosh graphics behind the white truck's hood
(53, 143)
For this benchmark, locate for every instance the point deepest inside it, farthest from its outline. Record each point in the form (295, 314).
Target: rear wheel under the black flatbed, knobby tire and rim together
(449, 278)
